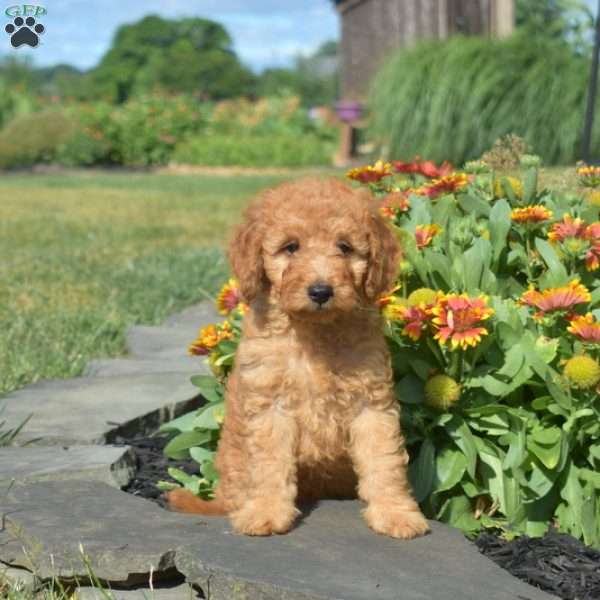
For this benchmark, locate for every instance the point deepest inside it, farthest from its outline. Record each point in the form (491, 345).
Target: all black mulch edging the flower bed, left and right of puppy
(557, 563)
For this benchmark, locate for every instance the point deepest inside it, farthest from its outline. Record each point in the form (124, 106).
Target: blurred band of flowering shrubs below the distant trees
(154, 129)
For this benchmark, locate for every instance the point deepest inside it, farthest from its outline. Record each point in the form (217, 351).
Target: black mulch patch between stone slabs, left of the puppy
(152, 466)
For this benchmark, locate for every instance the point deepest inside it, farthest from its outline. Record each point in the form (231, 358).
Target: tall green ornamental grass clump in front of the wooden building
(452, 99)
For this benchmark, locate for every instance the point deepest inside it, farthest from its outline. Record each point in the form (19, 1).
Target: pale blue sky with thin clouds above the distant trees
(265, 32)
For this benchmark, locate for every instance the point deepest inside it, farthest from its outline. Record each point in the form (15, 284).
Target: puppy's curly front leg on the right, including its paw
(380, 461)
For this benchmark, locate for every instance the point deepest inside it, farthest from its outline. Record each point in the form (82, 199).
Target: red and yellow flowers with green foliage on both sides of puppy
(494, 333)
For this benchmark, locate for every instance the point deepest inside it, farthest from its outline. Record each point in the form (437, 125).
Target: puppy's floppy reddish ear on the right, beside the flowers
(384, 256)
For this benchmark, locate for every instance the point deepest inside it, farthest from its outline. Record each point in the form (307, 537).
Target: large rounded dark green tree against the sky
(185, 55)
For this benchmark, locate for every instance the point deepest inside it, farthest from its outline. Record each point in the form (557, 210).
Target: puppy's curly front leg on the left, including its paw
(270, 505)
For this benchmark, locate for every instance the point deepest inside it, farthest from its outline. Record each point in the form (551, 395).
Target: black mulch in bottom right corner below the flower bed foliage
(557, 563)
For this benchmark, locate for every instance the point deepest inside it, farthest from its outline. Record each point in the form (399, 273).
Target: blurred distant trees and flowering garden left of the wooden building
(168, 91)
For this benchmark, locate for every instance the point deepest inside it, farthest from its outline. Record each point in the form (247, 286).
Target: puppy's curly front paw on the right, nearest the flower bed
(396, 520)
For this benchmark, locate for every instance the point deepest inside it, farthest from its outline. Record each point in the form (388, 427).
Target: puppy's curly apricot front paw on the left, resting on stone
(264, 518)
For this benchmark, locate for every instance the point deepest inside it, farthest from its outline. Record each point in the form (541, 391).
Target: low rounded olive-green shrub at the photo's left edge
(34, 138)
